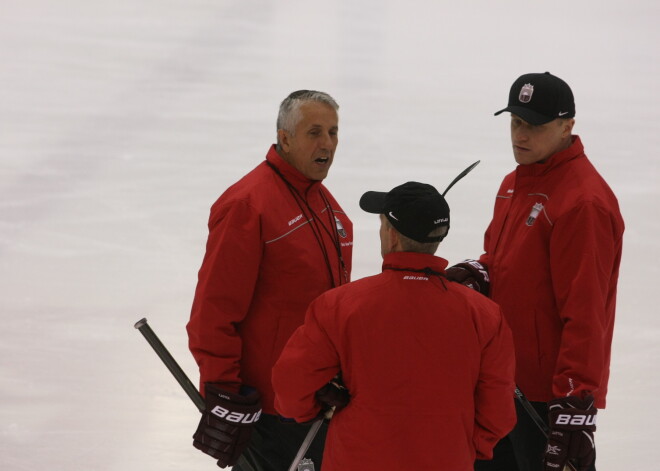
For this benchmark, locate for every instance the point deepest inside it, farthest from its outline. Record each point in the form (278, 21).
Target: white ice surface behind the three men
(122, 121)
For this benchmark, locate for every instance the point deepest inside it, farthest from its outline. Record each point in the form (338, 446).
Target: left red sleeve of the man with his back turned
(307, 363)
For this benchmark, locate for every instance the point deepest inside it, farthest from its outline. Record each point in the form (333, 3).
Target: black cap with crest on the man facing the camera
(540, 98)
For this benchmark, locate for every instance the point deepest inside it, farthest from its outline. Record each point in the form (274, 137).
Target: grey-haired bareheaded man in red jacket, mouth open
(277, 240)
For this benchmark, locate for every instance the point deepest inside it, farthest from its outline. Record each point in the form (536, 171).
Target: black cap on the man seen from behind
(414, 209)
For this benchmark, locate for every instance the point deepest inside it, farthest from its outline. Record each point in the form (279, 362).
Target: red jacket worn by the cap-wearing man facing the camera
(554, 272)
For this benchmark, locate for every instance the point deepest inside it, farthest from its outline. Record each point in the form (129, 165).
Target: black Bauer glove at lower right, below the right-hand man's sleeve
(571, 437)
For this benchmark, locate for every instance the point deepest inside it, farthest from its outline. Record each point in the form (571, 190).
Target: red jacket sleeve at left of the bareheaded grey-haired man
(224, 291)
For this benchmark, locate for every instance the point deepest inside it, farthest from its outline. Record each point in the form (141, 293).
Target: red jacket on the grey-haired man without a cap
(264, 264)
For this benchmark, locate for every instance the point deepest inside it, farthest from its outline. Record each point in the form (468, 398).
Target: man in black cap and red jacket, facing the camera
(552, 253)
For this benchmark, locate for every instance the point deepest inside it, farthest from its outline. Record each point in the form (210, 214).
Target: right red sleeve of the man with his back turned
(495, 413)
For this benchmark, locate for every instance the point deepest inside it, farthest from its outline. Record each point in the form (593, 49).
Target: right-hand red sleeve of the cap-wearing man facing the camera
(584, 253)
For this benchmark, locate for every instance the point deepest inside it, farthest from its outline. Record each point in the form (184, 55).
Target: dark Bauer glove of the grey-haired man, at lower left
(226, 425)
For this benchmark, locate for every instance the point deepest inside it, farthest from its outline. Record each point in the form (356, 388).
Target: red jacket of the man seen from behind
(428, 363)
